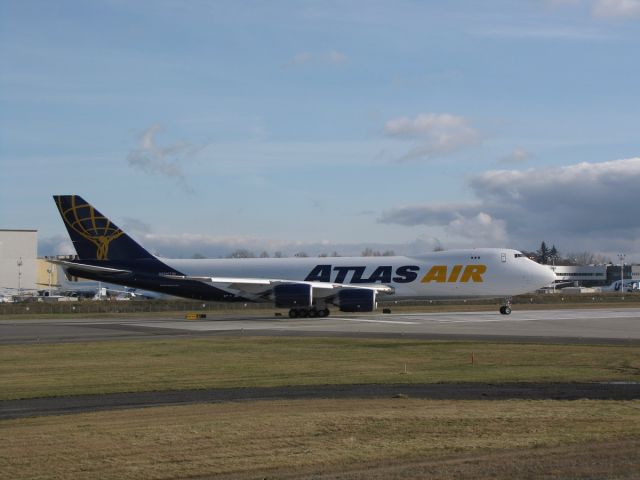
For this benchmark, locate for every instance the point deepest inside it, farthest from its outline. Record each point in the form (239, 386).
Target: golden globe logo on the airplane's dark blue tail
(91, 225)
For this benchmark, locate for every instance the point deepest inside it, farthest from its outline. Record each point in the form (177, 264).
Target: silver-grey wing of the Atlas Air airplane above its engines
(262, 288)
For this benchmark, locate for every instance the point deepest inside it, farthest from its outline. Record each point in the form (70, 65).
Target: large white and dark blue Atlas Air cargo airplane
(306, 286)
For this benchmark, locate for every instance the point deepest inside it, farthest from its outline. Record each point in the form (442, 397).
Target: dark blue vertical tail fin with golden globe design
(94, 236)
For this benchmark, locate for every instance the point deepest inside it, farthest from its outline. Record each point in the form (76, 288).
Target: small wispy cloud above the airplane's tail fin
(161, 160)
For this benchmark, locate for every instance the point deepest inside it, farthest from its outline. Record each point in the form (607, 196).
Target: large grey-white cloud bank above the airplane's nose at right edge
(586, 205)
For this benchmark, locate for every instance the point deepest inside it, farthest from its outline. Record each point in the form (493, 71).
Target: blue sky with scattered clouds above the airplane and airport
(319, 126)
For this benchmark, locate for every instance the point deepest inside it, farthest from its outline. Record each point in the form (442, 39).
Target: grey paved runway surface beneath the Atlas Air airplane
(615, 325)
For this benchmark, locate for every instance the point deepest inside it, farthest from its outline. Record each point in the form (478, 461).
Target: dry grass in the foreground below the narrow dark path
(393, 438)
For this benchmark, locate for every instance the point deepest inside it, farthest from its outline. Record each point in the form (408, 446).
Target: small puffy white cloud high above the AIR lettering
(433, 134)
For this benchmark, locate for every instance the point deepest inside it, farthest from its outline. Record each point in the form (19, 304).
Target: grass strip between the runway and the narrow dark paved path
(28, 371)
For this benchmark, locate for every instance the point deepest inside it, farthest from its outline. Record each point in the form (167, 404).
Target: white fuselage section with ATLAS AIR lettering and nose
(487, 272)
